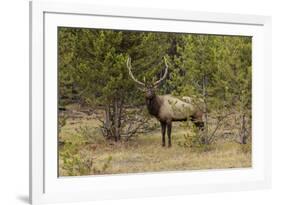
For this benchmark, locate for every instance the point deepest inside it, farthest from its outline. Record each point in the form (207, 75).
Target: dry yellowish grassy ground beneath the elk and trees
(83, 151)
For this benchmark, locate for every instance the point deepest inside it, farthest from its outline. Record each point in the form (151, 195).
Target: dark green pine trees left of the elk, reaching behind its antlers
(93, 72)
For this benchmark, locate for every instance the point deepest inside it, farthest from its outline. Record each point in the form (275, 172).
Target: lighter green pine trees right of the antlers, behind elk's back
(216, 69)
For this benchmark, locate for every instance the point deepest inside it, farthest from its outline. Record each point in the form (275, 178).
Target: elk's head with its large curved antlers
(147, 87)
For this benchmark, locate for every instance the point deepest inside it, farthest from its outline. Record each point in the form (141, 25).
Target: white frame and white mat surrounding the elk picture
(46, 186)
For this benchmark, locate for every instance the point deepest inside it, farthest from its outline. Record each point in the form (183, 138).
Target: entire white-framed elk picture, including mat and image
(130, 102)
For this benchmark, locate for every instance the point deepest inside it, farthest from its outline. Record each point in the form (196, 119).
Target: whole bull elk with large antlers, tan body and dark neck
(167, 108)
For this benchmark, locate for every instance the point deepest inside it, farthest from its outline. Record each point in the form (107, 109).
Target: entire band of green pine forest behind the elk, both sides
(216, 69)
